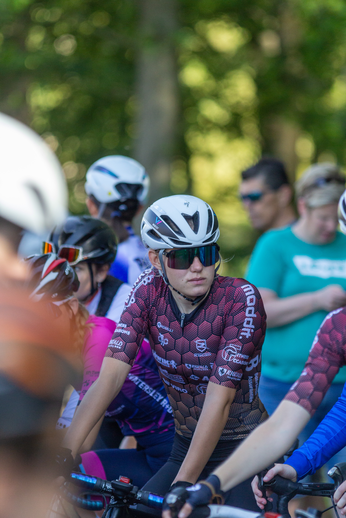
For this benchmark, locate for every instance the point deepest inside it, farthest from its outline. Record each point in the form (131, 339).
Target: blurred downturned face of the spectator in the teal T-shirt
(320, 223)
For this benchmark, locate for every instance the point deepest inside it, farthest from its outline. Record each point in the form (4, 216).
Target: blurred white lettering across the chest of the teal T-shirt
(322, 268)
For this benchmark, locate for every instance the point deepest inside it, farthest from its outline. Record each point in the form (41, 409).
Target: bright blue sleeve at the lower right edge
(328, 438)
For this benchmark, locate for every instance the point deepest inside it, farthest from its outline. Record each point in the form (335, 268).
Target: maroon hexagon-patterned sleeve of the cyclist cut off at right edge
(327, 355)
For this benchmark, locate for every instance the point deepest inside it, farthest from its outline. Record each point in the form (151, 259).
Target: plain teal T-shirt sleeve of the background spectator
(266, 267)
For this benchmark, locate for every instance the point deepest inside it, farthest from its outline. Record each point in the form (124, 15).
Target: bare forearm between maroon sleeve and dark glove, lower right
(265, 445)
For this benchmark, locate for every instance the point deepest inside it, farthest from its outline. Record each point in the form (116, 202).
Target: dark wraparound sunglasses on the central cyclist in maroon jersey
(182, 258)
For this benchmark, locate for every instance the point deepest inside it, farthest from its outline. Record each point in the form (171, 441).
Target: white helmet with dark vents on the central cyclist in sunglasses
(179, 221)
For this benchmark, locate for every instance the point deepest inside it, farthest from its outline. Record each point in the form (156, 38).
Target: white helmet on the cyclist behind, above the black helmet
(117, 178)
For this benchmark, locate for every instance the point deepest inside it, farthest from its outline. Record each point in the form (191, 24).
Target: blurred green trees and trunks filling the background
(196, 91)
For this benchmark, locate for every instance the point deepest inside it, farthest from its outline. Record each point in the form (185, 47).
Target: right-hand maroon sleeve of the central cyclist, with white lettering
(239, 353)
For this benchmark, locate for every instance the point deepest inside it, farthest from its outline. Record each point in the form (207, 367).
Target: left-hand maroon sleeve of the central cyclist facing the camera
(133, 324)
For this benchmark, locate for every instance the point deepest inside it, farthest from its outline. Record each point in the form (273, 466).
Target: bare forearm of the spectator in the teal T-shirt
(282, 311)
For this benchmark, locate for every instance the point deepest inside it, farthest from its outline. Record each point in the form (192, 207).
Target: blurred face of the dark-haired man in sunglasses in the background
(262, 204)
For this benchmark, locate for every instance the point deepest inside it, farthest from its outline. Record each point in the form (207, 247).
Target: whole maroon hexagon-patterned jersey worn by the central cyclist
(220, 341)
